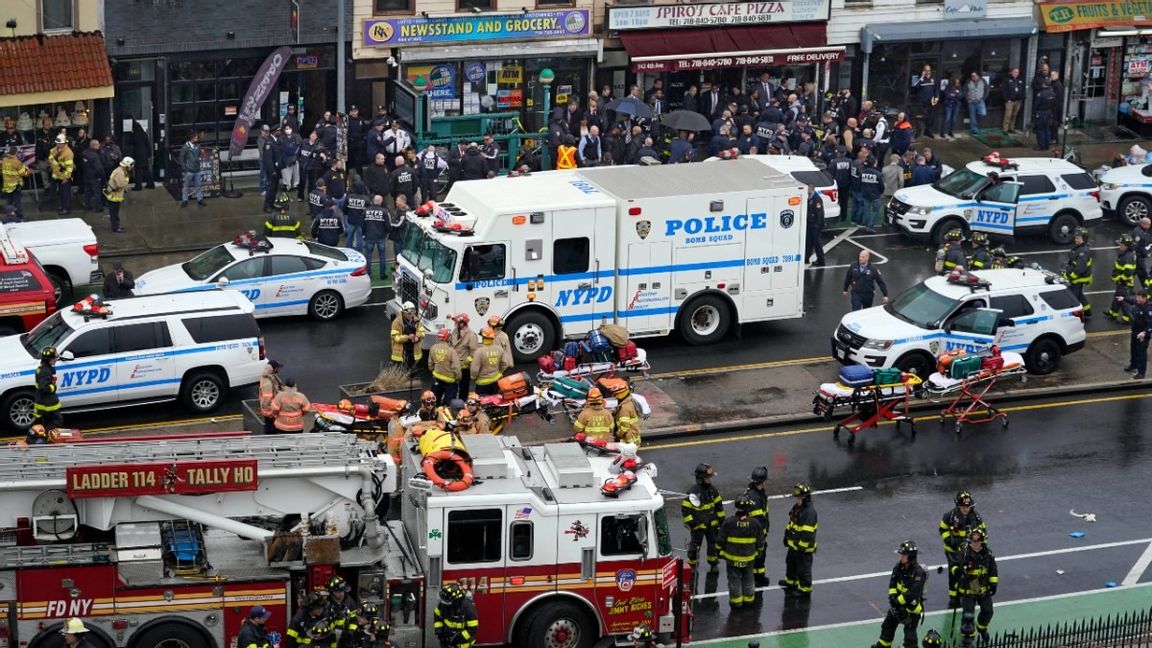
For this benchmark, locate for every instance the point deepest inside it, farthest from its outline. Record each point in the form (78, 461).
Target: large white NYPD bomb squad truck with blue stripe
(695, 248)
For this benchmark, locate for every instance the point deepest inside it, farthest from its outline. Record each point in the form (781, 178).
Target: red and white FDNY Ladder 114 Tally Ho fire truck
(171, 541)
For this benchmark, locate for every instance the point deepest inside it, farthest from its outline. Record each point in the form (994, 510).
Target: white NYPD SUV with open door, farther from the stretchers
(1045, 197)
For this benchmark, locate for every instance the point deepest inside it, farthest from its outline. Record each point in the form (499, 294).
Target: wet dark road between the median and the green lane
(1088, 457)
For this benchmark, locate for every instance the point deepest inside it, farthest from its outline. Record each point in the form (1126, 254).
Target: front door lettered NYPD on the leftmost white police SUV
(88, 379)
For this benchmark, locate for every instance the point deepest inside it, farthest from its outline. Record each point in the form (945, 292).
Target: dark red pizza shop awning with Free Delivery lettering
(731, 47)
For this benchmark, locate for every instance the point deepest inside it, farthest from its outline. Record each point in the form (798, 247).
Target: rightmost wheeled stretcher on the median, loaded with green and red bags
(969, 405)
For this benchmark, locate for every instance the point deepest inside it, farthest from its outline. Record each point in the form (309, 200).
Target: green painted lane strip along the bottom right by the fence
(1010, 616)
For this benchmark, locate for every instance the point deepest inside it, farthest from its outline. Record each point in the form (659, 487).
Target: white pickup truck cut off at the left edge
(66, 248)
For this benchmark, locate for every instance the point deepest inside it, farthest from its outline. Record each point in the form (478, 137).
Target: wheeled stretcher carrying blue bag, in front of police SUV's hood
(869, 405)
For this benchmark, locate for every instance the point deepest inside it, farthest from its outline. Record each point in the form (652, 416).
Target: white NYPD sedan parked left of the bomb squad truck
(282, 277)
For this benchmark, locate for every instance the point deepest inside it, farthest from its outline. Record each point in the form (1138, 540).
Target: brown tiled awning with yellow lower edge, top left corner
(47, 70)
